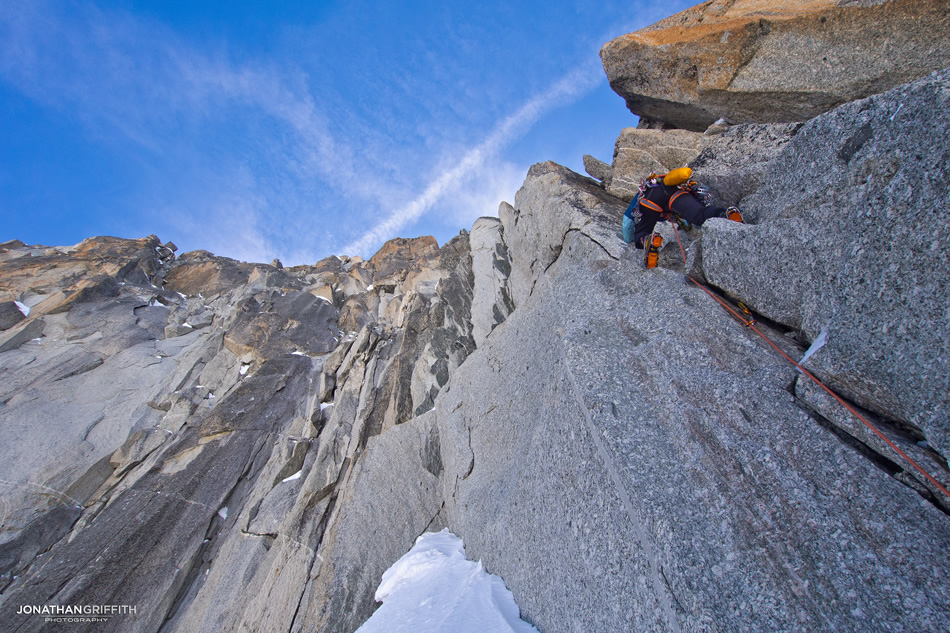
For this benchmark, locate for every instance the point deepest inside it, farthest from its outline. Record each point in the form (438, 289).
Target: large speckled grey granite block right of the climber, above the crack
(850, 218)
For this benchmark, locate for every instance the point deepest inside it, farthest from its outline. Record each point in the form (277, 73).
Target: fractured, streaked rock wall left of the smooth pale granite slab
(185, 401)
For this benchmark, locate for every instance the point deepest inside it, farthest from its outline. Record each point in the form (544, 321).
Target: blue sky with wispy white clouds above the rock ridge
(294, 130)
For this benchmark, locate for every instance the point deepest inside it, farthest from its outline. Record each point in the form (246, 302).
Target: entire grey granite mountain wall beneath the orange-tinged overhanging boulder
(231, 446)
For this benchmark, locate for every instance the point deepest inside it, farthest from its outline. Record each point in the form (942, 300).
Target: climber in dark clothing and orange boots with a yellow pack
(672, 197)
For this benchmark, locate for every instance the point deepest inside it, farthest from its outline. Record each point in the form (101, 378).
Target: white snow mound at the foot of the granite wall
(435, 589)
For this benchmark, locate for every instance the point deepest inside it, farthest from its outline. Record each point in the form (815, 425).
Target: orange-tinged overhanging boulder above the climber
(772, 61)
